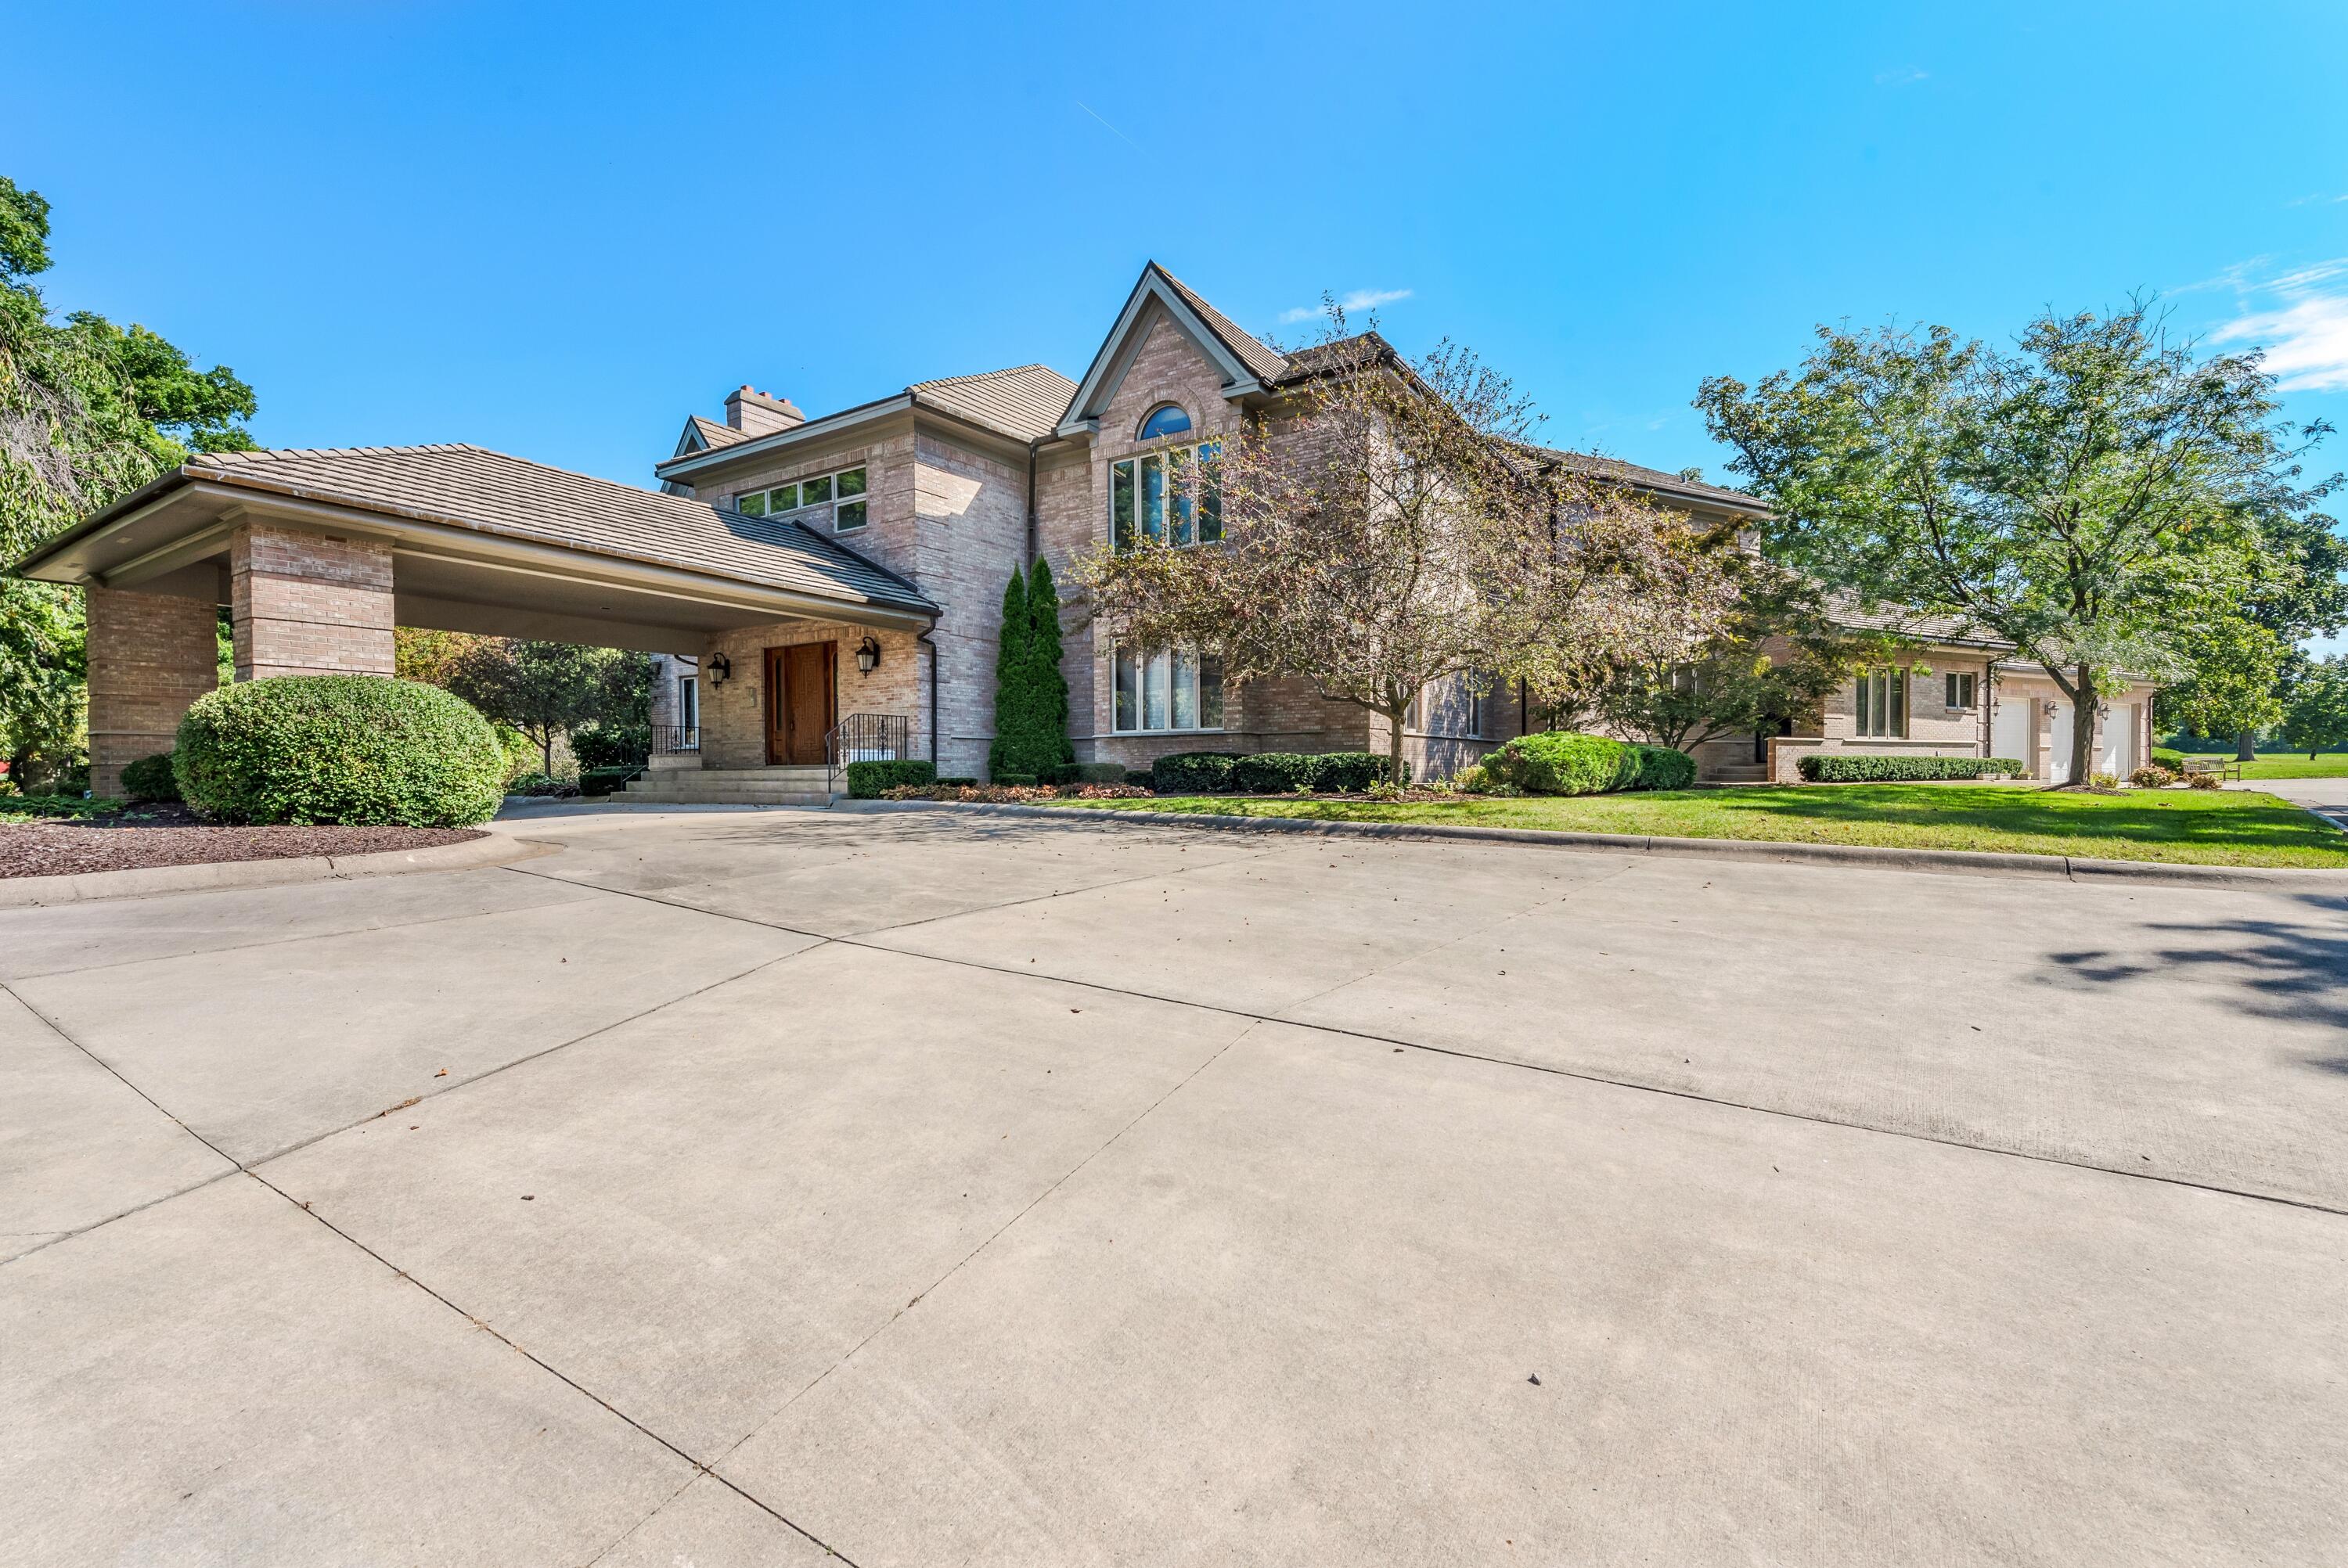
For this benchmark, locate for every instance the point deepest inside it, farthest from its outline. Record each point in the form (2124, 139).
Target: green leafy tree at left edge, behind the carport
(88, 414)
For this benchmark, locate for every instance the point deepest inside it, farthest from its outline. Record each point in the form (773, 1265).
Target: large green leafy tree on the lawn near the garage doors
(2091, 496)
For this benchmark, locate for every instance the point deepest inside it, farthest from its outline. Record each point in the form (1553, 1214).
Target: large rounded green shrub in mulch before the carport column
(351, 750)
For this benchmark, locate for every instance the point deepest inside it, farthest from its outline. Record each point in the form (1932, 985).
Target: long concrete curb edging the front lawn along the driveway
(1962, 863)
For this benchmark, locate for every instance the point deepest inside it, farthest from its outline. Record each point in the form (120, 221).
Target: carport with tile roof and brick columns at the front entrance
(321, 553)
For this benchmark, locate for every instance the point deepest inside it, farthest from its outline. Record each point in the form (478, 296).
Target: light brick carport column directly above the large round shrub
(311, 604)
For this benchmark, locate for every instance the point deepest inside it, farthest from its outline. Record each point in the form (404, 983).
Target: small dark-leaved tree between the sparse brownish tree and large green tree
(1774, 661)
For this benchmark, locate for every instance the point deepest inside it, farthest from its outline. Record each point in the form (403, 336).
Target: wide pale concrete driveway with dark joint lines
(929, 1189)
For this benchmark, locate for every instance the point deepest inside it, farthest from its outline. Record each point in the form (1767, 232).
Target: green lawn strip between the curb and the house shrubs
(2171, 825)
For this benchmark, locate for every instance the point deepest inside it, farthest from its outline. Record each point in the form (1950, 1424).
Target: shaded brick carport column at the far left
(149, 658)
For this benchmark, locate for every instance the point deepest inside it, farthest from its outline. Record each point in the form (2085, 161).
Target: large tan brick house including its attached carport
(830, 588)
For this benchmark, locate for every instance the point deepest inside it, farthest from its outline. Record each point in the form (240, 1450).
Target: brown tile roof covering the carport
(468, 487)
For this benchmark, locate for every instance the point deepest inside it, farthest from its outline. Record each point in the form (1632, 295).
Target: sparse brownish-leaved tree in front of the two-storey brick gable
(1394, 527)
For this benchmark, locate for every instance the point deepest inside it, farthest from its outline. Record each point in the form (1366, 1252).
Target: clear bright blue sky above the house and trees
(558, 229)
